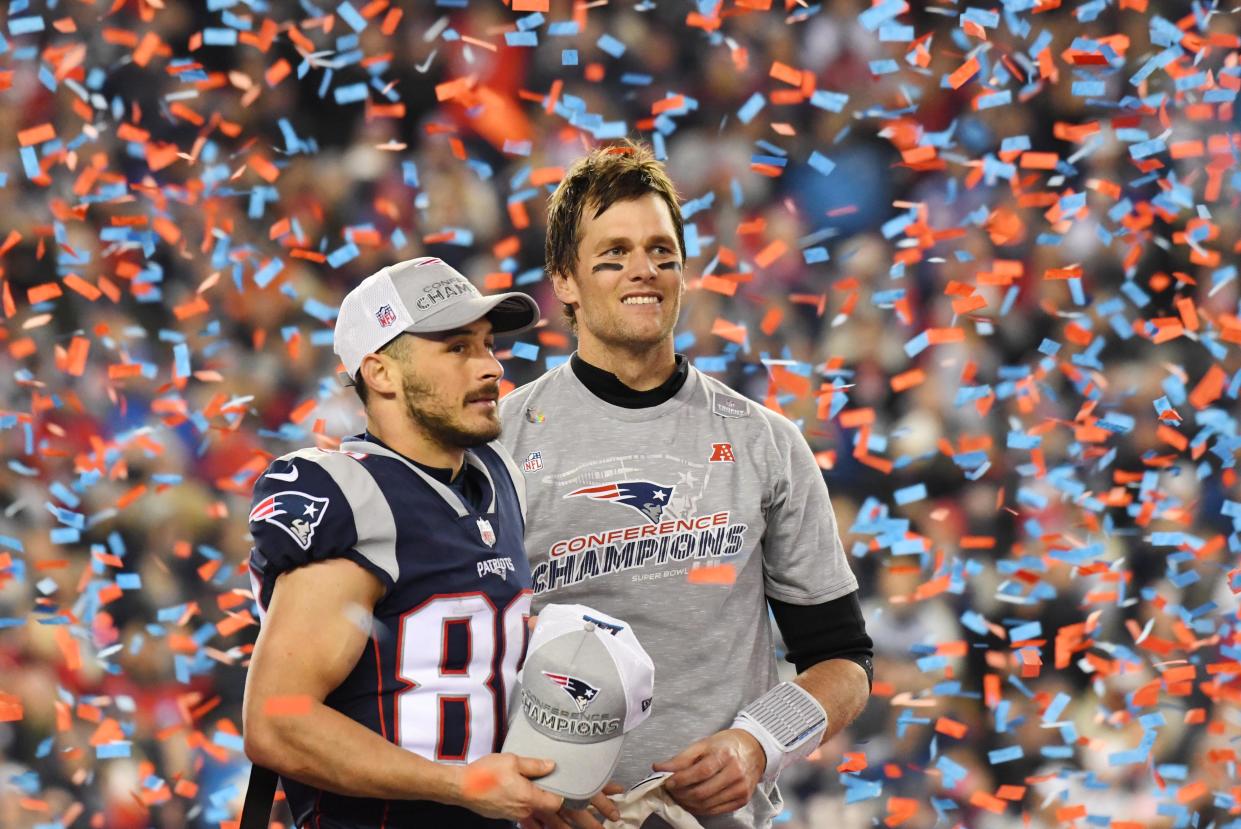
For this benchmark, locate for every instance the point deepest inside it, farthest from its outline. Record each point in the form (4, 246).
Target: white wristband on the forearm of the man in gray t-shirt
(787, 723)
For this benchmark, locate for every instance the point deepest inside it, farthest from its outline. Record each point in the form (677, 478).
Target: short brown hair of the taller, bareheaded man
(622, 172)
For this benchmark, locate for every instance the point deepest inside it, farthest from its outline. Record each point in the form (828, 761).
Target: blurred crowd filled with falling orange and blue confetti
(1041, 502)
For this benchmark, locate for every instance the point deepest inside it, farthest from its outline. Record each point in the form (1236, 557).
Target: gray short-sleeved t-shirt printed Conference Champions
(626, 504)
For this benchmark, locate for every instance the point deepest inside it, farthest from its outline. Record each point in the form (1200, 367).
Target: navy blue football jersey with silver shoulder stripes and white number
(451, 630)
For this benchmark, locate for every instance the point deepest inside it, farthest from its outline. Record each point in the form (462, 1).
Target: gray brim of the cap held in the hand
(583, 770)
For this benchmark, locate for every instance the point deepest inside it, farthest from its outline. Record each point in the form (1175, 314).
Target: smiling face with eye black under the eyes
(627, 289)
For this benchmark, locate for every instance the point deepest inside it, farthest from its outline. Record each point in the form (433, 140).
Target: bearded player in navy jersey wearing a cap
(393, 580)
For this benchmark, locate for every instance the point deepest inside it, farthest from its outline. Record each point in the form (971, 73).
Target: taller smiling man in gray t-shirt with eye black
(662, 497)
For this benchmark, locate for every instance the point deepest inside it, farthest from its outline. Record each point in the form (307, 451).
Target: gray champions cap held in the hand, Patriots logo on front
(586, 683)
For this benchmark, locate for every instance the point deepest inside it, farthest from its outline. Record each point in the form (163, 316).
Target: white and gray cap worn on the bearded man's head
(424, 296)
